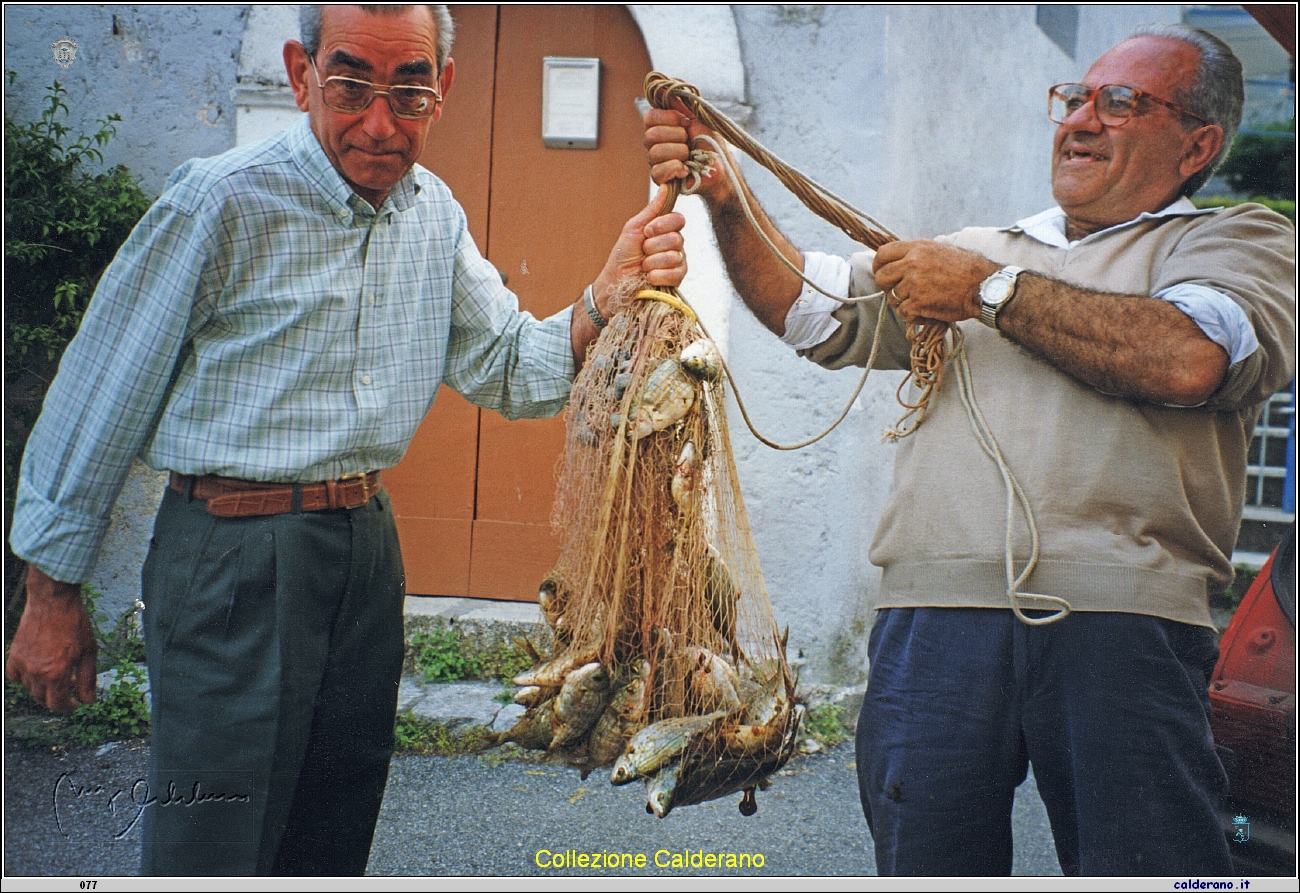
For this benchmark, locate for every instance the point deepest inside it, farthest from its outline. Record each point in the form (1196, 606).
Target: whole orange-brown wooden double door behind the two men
(474, 495)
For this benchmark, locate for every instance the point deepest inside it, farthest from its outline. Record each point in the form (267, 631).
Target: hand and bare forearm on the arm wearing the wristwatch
(1128, 345)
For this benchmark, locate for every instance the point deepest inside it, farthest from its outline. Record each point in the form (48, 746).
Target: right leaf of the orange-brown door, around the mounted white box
(556, 214)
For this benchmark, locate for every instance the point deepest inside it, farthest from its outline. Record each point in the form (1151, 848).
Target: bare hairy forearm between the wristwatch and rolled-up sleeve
(1126, 345)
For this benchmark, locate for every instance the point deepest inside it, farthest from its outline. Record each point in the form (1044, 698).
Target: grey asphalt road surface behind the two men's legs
(470, 817)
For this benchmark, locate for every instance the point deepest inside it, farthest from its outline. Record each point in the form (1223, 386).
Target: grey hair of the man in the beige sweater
(1217, 96)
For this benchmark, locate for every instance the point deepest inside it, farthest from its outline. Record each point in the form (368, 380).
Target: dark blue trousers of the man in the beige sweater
(1111, 709)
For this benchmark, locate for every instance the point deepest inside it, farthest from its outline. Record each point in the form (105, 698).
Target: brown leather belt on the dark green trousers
(229, 497)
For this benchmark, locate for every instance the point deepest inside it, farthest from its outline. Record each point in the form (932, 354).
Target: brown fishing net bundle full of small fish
(666, 662)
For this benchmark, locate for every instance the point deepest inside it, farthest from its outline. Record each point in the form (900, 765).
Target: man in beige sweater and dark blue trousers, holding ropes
(1123, 345)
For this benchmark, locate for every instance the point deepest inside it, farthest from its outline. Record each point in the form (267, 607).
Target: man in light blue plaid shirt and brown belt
(272, 333)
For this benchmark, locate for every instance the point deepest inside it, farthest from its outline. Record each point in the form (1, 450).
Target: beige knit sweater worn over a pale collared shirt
(1138, 505)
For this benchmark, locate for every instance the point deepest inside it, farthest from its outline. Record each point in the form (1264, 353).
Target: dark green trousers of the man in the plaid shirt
(275, 651)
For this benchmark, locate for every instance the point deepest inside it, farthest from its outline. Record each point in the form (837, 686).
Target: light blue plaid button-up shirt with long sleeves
(266, 323)
